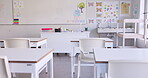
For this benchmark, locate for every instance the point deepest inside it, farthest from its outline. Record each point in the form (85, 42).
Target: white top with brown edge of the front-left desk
(24, 55)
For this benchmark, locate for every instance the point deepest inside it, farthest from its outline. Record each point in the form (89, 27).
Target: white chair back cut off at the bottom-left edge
(4, 67)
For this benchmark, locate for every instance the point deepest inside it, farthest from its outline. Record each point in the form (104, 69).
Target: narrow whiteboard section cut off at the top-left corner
(6, 16)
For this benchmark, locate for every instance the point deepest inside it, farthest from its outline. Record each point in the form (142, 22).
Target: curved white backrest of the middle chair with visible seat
(88, 44)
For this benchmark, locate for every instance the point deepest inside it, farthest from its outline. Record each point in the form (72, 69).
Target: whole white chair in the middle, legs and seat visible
(86, 47)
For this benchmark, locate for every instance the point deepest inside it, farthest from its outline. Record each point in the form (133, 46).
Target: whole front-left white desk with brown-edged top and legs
(29, 60)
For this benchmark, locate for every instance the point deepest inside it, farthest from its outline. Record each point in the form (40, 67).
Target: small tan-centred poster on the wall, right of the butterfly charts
(125, 8)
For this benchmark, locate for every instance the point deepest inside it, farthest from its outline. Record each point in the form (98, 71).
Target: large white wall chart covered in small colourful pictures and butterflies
(107, 11)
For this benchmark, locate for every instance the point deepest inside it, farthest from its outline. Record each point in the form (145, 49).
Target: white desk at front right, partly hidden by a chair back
(102, 56)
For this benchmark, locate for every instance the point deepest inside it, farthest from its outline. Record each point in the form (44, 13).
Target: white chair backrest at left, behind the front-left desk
(17, 43)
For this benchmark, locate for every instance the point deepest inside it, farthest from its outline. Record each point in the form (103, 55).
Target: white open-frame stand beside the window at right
(134, 35)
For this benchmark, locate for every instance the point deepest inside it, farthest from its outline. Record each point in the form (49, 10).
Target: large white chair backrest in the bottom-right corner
(128, 69)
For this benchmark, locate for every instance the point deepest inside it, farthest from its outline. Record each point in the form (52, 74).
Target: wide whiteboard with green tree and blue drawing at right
(49, 12)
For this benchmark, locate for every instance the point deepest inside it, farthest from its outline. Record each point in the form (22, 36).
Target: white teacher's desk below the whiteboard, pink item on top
(60, 41)
